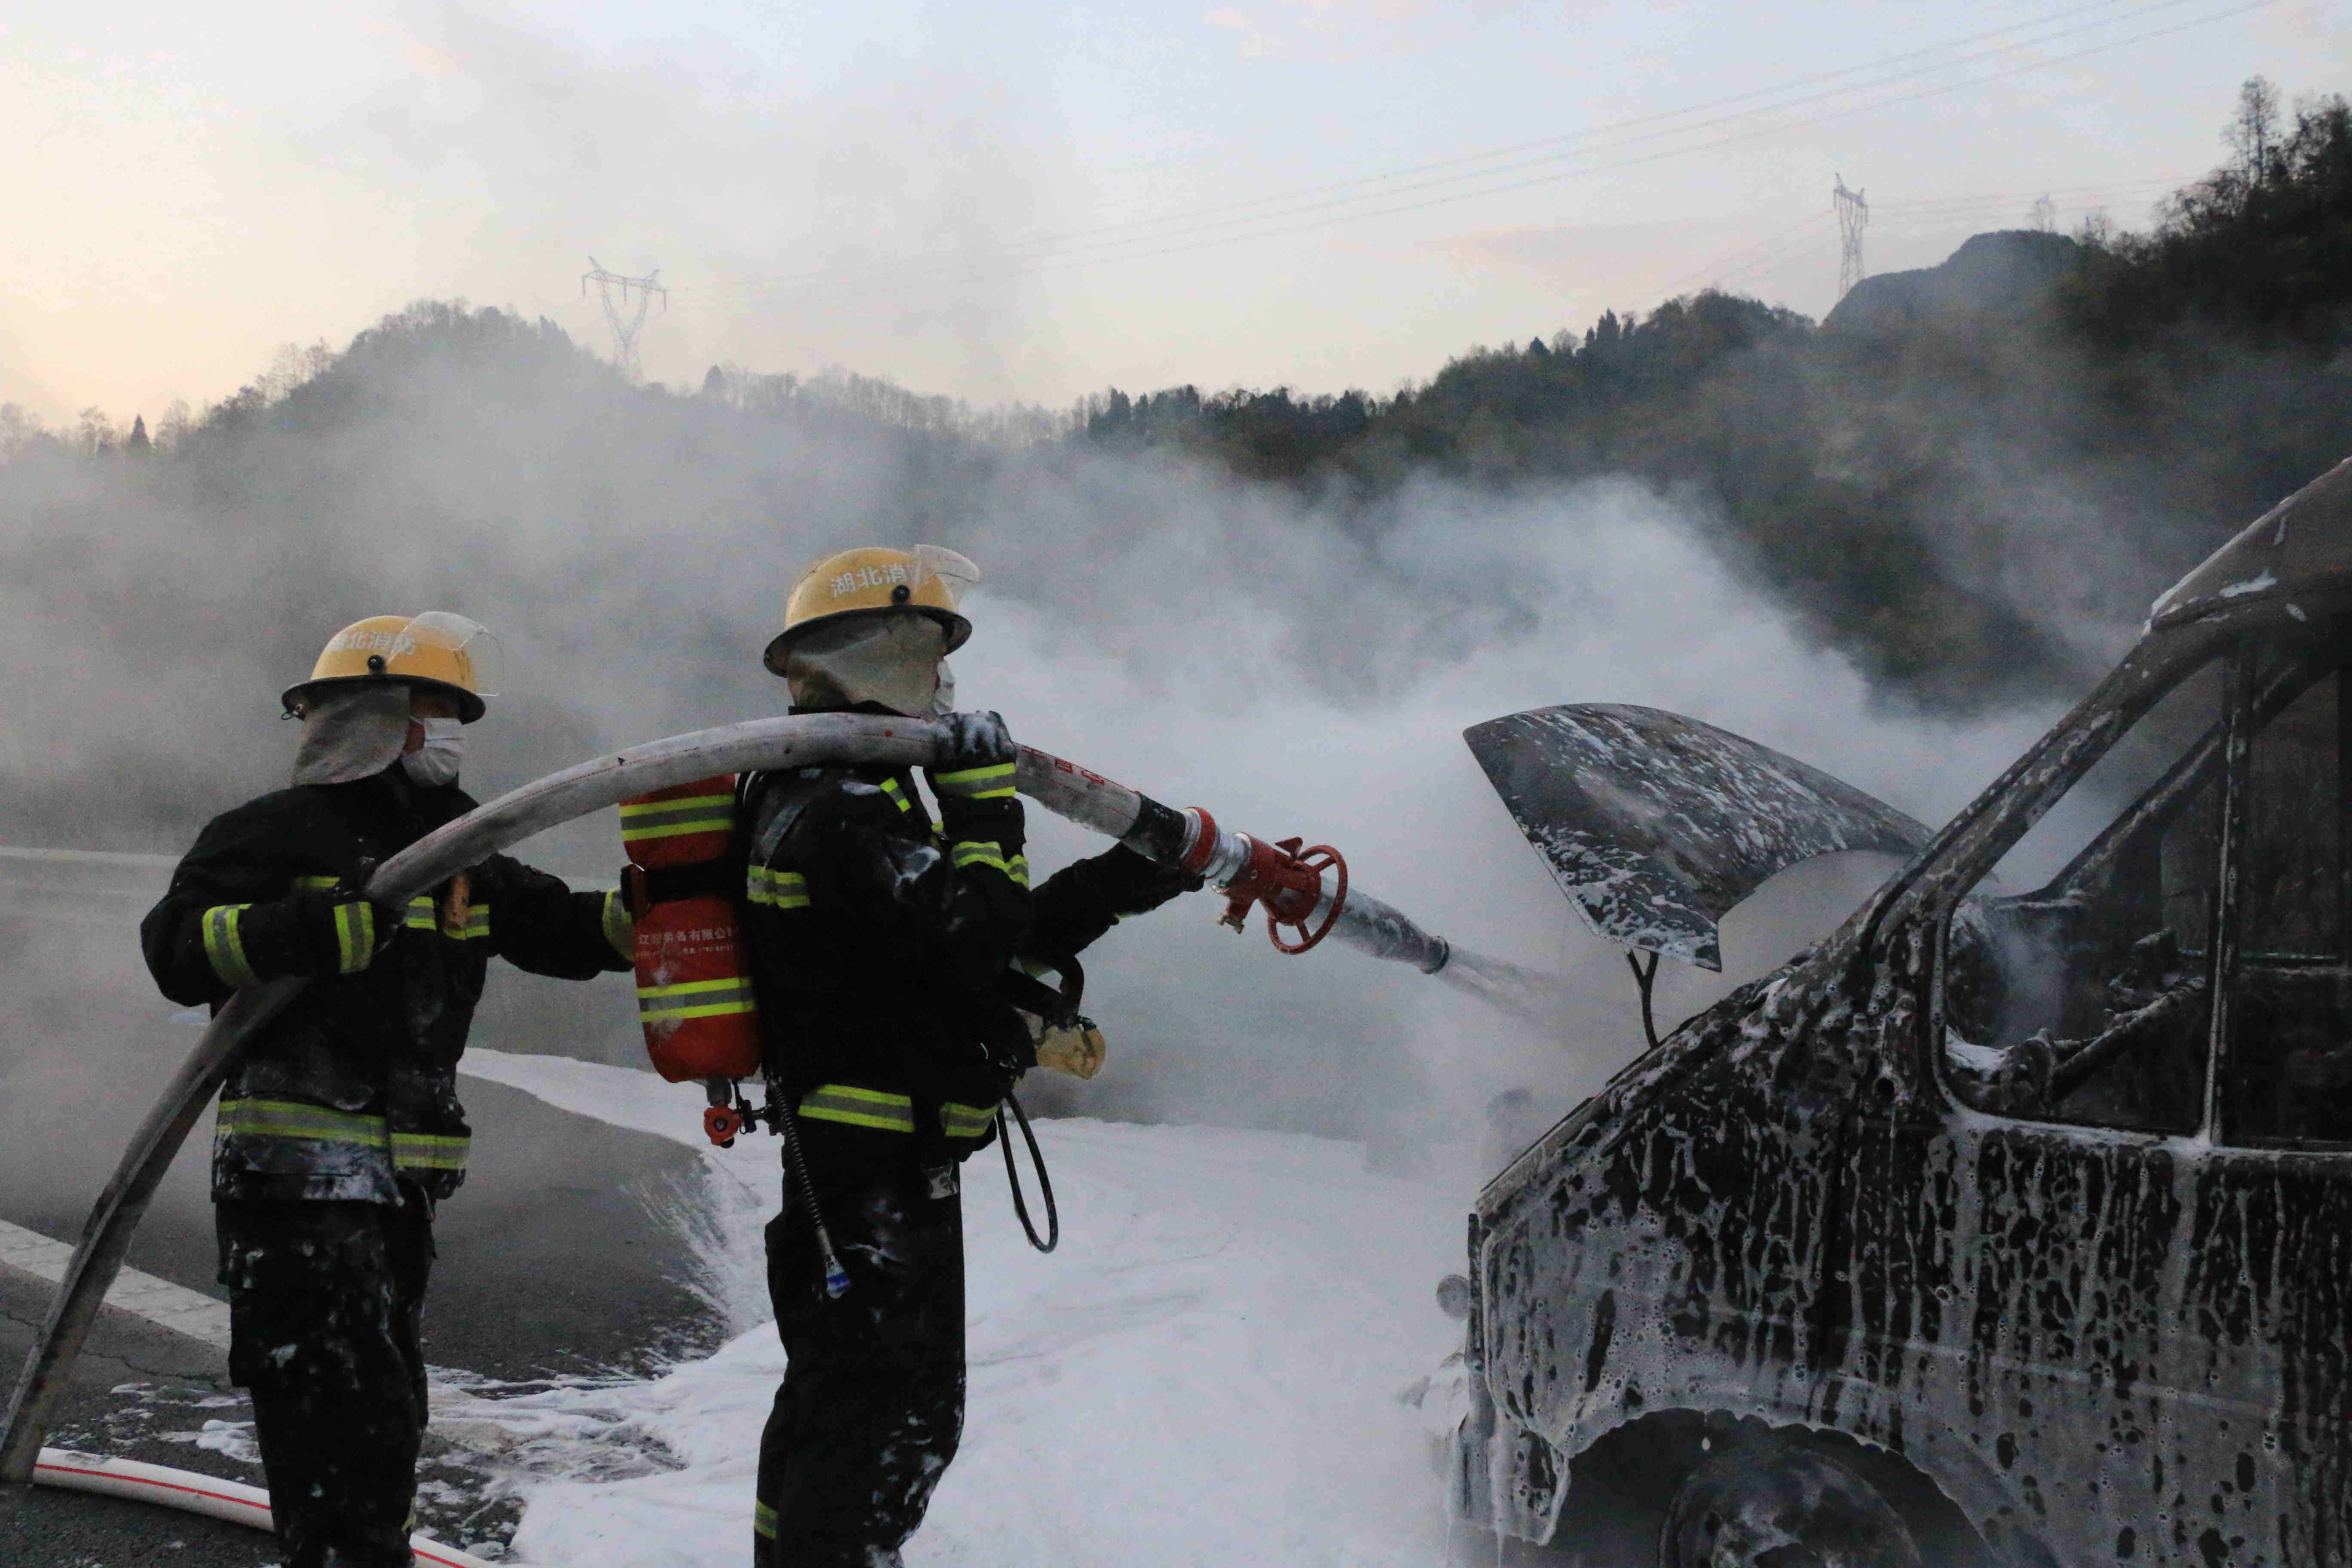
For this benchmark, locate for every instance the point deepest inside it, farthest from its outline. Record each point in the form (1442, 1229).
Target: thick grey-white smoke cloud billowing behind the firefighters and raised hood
(1283, 659)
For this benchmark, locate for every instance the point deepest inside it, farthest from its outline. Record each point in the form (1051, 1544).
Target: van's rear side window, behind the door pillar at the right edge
(2287, 1073)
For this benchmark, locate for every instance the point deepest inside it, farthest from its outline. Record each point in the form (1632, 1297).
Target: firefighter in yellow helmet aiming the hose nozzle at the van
(893, 958)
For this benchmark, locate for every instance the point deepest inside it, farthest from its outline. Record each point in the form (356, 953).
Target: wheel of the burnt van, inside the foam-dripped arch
(1768, 1503)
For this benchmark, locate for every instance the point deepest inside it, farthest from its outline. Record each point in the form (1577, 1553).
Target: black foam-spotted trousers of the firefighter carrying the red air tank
(874, 1395)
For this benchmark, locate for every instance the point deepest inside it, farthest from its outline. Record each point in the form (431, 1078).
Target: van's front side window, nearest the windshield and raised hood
(2087, 998)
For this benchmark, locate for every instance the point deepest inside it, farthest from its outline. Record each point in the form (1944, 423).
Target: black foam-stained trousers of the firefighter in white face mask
(323, 1329)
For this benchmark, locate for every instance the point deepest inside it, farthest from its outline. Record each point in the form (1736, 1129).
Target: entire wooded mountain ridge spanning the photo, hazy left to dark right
(1970, 481)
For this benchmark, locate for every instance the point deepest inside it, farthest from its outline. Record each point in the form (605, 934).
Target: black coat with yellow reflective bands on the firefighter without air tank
(354, 1087)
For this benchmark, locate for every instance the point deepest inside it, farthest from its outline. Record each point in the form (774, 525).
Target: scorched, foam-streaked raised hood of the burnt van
(1657, 826)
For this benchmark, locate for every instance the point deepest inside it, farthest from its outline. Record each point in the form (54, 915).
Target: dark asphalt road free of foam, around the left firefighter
(552, 1259)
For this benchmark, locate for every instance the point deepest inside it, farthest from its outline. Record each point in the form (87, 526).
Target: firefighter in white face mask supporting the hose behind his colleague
(340, 1125)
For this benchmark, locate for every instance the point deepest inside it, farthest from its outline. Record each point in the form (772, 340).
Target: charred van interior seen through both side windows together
(2092, 1000)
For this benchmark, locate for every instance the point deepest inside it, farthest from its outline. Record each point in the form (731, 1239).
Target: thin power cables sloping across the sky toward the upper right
(1081, 243)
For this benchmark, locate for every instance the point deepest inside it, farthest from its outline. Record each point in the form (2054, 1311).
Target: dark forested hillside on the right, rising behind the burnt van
(1970, 500)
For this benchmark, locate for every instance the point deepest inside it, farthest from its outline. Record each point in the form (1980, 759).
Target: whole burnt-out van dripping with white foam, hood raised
(2014, 1221)
